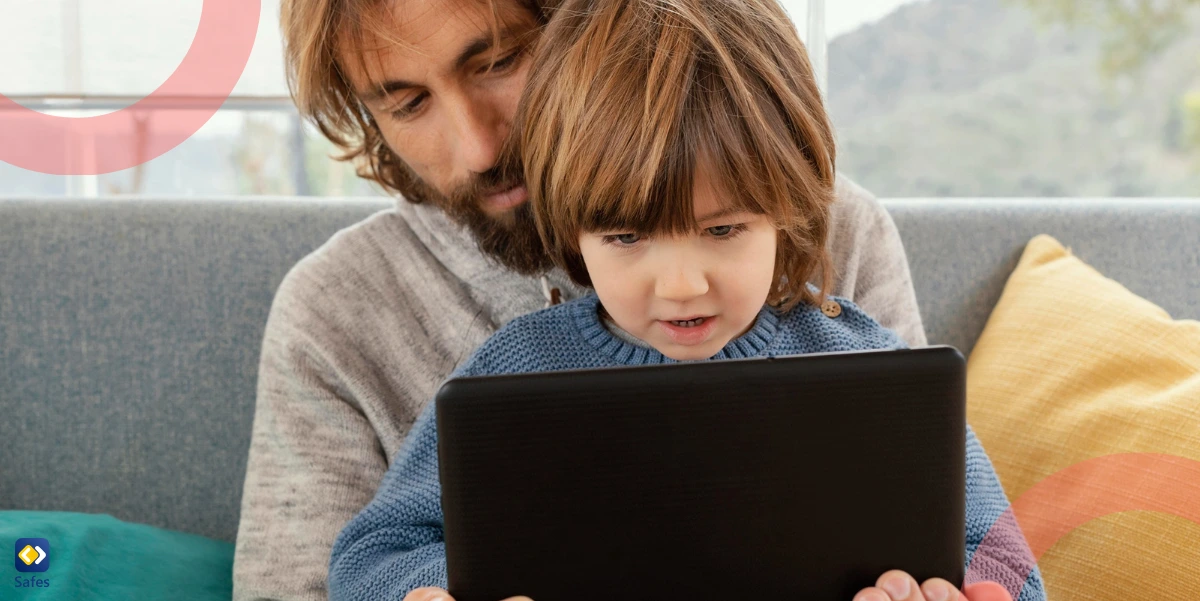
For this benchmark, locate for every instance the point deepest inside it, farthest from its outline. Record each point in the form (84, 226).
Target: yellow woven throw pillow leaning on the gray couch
(1088, 400)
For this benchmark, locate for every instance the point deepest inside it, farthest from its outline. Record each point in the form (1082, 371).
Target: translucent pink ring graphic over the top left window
(200, 86)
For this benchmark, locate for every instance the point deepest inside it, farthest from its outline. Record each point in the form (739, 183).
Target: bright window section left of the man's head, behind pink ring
(85, 58)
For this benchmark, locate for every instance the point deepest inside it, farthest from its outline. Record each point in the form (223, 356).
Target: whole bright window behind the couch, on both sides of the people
(929, 98)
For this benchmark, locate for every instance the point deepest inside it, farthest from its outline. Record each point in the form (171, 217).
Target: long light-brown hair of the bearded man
(315, 34)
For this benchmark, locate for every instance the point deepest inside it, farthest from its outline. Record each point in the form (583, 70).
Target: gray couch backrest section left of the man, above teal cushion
(130, 333)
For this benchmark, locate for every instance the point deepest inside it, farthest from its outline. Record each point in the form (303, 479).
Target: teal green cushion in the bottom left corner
(99, 558)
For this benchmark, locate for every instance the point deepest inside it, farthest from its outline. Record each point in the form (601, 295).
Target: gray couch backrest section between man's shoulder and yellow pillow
(962, 251)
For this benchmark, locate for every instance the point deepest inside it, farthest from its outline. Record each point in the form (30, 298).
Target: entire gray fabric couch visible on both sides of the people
(130, 330)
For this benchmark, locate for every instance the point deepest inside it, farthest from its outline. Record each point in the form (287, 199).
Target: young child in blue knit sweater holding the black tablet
(681, 164)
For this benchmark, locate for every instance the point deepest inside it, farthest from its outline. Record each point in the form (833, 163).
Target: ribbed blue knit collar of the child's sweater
(586, 315)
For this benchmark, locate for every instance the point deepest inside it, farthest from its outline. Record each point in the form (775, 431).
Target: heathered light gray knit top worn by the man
(364, 330)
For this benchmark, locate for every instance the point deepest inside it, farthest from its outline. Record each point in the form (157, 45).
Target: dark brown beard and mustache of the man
(509, 238)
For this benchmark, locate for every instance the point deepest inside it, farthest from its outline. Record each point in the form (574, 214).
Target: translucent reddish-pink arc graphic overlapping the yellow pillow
(1087, 491)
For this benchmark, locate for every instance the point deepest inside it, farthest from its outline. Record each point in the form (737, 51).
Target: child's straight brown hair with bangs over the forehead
(627, 99)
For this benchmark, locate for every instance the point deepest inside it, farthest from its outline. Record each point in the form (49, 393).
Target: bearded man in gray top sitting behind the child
(364, 330)
